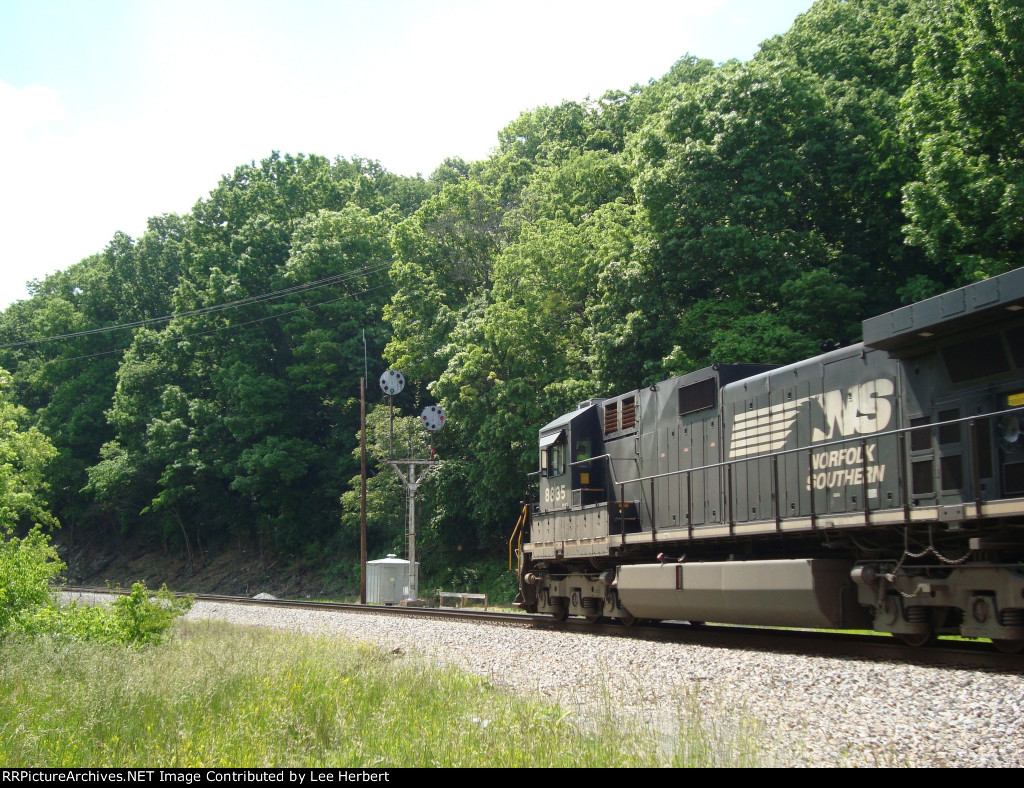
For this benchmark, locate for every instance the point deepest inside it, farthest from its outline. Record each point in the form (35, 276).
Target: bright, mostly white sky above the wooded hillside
(115, 111)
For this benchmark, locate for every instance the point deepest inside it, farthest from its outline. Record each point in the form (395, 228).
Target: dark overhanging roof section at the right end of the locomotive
(976, 304)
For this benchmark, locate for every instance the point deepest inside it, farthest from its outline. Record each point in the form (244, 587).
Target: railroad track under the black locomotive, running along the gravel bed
(970, 655)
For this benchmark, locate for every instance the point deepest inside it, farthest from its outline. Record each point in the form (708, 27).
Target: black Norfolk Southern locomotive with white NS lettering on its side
(876, 487)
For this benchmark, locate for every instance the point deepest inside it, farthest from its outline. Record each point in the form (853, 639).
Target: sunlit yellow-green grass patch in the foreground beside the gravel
(223, 696)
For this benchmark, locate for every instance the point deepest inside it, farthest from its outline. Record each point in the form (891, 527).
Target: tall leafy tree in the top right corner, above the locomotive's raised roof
(965, 116)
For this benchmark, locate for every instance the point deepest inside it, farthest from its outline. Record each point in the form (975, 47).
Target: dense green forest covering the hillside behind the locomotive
(738, 212)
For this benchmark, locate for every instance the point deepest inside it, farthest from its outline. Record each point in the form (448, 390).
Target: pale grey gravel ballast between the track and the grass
(803, 711)
